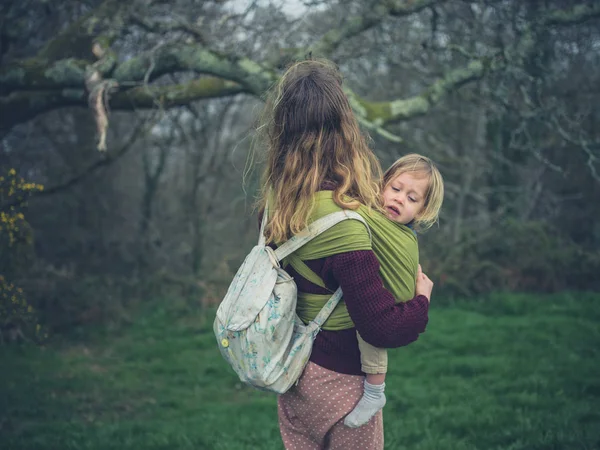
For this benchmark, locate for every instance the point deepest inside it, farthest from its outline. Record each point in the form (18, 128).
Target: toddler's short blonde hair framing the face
(434, 196)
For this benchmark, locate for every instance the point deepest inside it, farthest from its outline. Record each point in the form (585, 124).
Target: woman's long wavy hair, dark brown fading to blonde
(311, 136)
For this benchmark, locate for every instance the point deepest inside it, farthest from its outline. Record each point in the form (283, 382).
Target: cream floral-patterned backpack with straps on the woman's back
(257, 329)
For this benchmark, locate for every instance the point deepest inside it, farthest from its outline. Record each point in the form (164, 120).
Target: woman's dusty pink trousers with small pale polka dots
(311, 414)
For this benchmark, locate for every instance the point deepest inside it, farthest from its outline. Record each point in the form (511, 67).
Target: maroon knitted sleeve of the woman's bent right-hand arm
(378, 318)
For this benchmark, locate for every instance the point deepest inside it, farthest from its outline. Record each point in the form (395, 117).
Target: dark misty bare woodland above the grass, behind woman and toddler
(503, 95)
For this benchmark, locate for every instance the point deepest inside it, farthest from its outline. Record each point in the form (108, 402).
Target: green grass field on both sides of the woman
(508, 372)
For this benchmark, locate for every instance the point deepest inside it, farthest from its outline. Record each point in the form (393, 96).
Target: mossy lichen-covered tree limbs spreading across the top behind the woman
(58, 77)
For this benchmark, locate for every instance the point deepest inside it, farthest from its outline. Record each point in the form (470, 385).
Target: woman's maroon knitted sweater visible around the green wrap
(378, 318)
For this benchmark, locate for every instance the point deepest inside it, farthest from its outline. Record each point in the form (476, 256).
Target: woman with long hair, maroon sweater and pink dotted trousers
(314, 145)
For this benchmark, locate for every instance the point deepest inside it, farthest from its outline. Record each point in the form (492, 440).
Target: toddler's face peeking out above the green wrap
(404, 196)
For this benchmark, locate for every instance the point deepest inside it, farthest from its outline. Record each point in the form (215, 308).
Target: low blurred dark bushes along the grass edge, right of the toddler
(513, 256)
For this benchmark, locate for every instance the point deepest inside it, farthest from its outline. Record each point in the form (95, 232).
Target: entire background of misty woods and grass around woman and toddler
(126, 128)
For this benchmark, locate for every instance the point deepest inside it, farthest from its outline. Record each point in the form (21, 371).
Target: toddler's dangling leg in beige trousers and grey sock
(374, 364)
